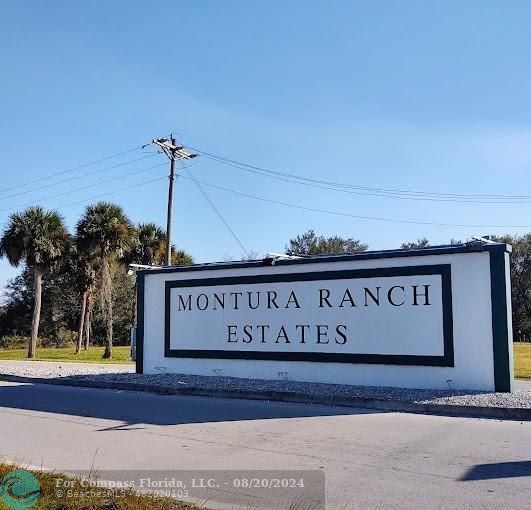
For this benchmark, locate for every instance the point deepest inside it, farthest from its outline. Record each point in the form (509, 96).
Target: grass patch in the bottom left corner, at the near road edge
(51, 497)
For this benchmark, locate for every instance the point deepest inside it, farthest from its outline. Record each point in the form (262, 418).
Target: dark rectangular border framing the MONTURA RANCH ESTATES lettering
(444, 270)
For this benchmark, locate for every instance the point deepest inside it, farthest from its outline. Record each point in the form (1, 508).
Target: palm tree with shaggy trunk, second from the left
(105, 230)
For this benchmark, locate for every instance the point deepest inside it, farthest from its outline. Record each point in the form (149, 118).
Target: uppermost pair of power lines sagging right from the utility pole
(364, 190)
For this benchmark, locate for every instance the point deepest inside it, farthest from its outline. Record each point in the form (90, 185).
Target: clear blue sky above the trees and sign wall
(413, 95)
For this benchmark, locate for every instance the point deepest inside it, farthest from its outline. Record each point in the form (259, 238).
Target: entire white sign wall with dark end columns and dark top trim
(429, 318)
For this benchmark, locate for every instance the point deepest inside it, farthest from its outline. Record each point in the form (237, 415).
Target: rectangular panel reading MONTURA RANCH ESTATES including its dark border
(342, 316)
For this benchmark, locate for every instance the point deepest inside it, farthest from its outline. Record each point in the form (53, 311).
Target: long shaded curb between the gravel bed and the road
(499, 413)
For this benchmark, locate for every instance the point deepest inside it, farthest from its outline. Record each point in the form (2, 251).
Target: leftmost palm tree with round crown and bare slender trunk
(39, 238)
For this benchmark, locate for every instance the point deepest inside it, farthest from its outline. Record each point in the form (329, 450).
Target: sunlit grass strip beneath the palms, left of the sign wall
(93, 355)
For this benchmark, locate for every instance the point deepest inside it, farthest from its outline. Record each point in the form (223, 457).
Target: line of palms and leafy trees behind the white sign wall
(74, 288)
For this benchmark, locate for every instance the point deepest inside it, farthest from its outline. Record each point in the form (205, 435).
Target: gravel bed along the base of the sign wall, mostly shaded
(124, 374)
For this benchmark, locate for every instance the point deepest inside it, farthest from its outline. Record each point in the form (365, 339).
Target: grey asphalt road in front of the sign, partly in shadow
(370, 459)
